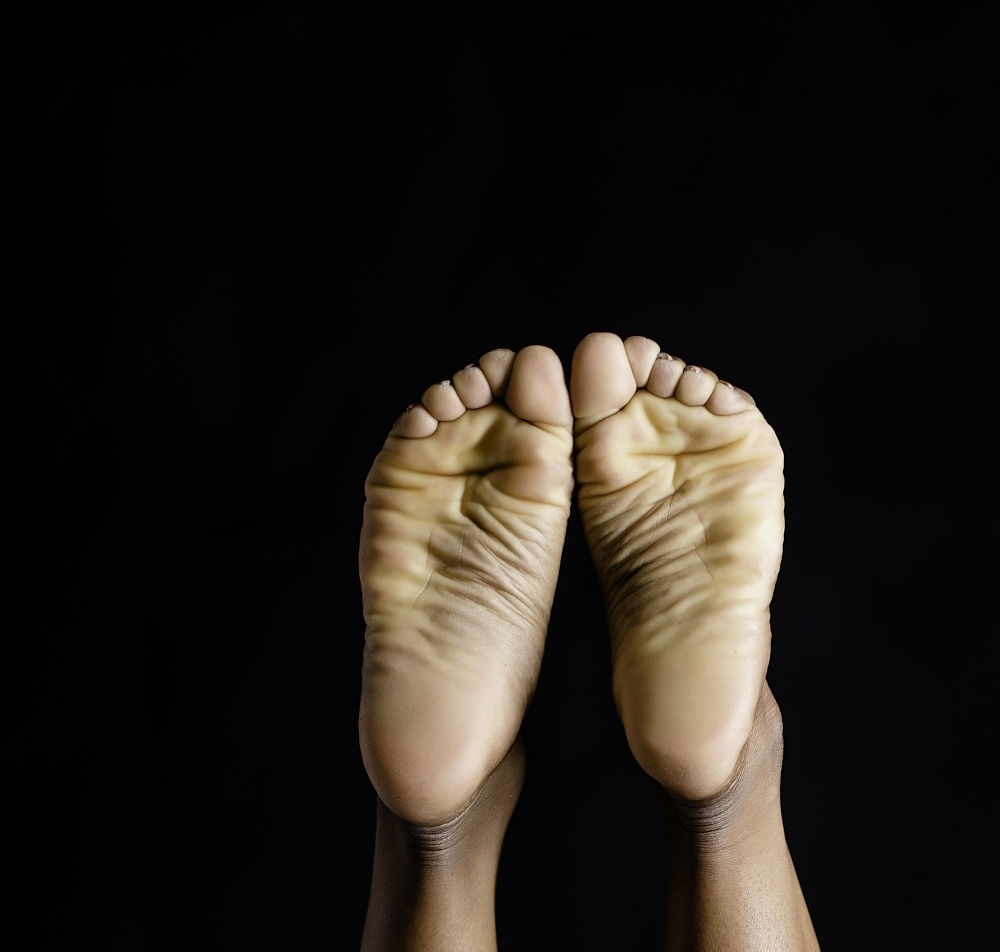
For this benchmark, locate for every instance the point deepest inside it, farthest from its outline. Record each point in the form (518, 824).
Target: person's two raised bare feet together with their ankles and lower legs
(678, 479)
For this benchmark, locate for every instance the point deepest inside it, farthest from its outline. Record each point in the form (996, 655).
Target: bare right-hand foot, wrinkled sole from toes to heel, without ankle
(680, 490)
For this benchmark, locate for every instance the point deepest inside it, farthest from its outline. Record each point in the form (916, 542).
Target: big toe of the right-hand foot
(601, 378)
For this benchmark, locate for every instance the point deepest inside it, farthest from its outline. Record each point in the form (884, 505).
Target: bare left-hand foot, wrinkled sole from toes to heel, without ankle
(465, 515)
